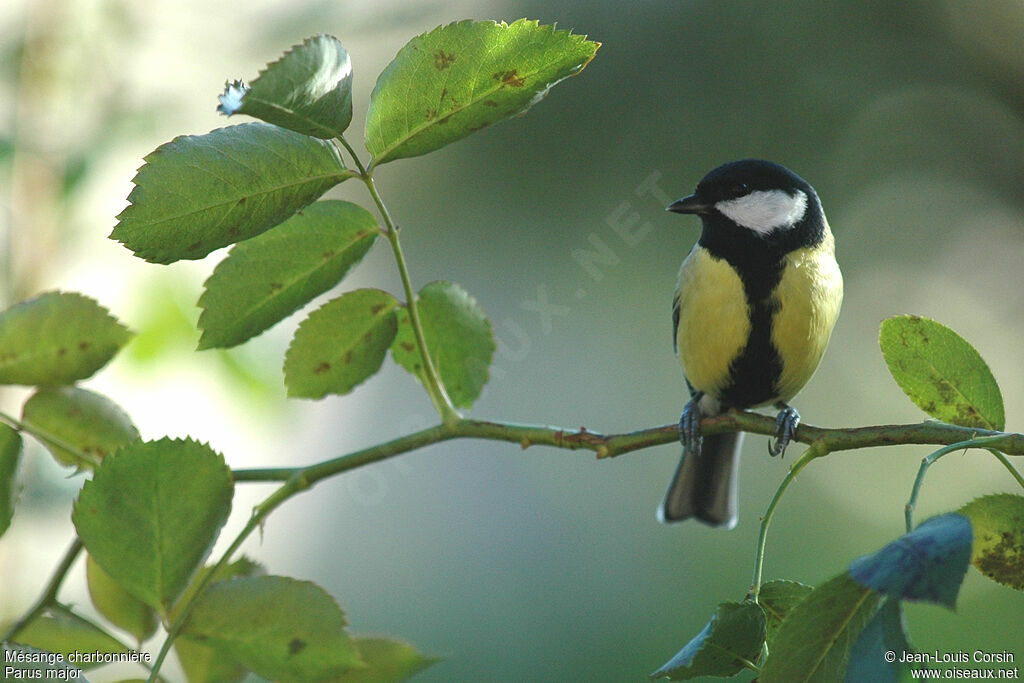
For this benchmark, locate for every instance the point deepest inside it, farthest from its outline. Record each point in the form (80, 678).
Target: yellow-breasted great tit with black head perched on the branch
(755, 307)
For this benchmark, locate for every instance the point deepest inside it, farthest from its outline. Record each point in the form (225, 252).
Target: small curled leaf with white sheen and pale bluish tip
(309, 91)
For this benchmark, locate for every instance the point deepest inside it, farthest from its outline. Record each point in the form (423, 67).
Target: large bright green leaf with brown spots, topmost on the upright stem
(462, 77)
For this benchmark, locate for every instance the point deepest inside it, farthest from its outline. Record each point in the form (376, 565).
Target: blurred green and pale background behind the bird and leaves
(547, 566)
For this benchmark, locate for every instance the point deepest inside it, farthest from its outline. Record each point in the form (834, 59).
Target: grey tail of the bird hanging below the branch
(705, 487)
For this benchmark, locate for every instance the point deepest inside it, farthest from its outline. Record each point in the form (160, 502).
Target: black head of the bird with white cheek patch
(753, 204)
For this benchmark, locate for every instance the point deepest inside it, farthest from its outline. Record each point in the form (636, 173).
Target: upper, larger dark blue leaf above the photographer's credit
(927, 565)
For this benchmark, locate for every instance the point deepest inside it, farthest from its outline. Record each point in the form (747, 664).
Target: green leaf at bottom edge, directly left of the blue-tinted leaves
(817, 638)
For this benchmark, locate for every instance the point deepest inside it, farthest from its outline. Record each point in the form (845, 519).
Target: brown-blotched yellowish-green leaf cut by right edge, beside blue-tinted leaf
(998, 522)
